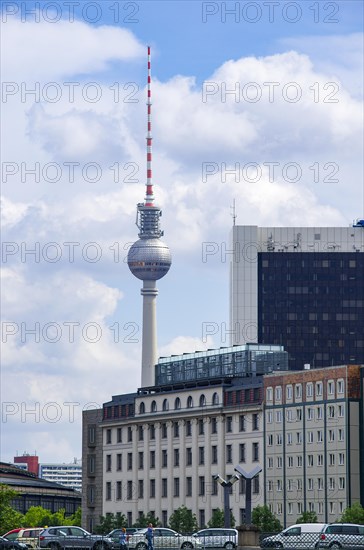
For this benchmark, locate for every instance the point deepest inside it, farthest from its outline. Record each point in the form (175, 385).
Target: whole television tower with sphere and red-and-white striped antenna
(149, 259)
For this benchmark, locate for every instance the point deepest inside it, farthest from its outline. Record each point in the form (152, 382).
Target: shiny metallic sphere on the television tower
(149, 259)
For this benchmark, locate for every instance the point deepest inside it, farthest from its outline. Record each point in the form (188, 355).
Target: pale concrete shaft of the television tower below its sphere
(149, 332)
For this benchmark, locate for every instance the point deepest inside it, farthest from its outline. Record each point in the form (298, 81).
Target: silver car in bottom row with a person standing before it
(163, 538)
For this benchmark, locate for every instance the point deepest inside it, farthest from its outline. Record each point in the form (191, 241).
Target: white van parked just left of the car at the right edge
(300, 536)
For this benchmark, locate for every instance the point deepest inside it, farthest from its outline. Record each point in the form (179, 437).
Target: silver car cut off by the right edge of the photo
(342, 535)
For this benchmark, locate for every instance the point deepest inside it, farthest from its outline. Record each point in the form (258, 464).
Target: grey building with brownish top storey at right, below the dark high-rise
(313, 425)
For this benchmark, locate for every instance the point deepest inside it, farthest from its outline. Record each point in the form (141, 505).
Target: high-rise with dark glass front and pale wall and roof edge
(302, 288)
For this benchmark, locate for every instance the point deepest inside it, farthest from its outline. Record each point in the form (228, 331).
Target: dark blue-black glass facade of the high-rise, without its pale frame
(313, 305)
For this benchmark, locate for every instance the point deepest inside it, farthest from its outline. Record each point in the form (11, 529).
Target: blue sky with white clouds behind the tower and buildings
(254, 102)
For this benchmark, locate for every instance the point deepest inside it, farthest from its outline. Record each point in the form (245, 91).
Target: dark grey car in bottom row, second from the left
(64, 536)
